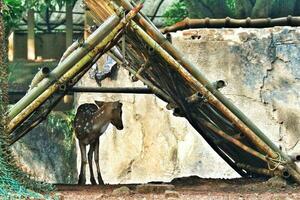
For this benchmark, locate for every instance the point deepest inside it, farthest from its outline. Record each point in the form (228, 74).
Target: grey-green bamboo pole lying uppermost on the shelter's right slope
(195, 72)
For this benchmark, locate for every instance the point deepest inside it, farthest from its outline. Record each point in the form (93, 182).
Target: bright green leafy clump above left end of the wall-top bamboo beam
(175, 13)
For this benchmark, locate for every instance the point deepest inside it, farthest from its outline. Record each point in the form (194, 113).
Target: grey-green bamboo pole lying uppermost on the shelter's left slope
(69, 62)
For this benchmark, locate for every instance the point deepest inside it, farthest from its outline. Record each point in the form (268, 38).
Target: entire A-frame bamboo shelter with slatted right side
(152, 59)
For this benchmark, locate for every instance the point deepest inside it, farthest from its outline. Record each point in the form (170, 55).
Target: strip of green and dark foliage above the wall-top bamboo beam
(231, 8)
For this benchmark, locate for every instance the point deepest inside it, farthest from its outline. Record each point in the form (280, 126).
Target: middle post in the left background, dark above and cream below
(30, 36)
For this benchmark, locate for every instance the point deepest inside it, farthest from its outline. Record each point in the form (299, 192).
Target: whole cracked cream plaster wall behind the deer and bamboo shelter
(262, 70)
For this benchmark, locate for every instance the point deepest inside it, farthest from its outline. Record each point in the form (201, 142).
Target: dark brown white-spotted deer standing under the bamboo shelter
(91, 121)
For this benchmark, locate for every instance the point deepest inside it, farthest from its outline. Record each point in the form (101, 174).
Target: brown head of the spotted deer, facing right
(115, 110)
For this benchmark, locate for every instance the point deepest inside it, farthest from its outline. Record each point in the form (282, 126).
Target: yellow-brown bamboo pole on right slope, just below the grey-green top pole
(214, 101)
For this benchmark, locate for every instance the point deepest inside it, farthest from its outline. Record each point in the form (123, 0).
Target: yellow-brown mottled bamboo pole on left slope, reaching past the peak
(100, 48)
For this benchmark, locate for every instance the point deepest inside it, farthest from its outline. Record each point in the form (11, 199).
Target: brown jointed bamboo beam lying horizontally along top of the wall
(228, 22)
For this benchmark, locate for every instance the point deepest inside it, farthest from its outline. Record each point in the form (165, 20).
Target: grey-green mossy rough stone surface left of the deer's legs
(44, 154)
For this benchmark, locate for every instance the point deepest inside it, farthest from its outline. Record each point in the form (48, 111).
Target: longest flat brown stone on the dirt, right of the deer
(154, 188)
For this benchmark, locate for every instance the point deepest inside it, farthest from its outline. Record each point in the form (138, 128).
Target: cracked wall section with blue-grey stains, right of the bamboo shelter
(262, 68)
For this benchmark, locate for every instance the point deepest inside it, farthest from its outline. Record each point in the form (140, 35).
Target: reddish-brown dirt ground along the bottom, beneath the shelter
(191, 188)
